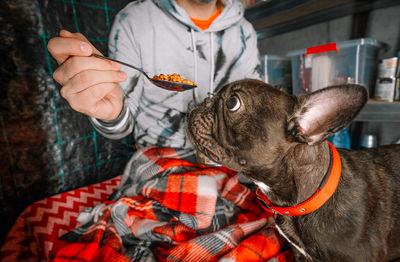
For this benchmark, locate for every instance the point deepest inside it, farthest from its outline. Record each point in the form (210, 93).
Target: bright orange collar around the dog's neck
(324, 192)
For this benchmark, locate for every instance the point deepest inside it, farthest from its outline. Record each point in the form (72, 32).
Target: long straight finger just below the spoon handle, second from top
(77, 64)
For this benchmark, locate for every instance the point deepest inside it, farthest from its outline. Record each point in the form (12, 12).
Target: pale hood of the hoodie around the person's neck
(231, 14)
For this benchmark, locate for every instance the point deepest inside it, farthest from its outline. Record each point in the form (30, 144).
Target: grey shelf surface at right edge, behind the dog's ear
(380, 111)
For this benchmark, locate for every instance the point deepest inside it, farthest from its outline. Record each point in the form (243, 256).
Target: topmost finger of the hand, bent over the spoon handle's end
(61, 48)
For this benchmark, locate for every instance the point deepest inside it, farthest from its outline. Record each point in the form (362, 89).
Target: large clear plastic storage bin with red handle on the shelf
(353, 61)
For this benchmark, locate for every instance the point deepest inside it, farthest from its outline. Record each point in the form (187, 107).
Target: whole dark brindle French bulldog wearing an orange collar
(279, 141)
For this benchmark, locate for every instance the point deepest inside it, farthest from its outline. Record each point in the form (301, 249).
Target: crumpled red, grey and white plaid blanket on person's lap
(168, 209)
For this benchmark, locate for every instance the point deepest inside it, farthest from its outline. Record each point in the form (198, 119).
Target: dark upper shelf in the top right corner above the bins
(274, 17)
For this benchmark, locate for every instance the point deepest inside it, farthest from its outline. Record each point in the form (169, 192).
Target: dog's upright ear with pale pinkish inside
(319, 115)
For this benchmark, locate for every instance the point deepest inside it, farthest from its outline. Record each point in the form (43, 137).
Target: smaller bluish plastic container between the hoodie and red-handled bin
(277, 71)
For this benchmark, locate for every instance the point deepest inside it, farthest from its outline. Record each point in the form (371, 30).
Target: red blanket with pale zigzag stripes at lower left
(39, 226)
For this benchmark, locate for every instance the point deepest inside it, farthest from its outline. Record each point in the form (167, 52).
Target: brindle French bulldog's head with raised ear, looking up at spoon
(249, 123)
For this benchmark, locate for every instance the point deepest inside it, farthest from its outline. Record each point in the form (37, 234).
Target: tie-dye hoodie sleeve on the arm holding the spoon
(122, 46)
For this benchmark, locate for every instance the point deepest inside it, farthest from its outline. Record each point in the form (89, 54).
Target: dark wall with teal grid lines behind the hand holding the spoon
(45, 146)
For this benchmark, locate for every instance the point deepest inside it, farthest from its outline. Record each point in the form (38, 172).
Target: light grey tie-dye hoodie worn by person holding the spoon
(159, 37)
